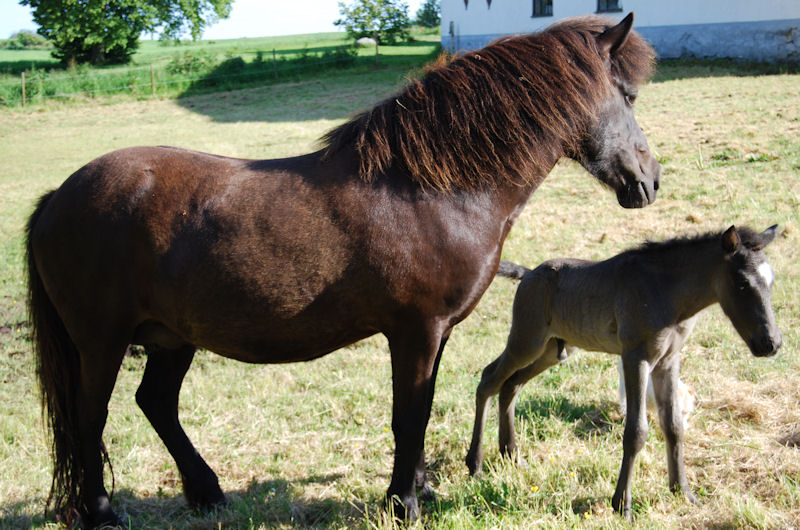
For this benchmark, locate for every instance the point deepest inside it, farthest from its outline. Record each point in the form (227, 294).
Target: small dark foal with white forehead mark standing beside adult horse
(642, 305)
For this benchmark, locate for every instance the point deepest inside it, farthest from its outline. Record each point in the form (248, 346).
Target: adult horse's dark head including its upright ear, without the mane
(614, 148)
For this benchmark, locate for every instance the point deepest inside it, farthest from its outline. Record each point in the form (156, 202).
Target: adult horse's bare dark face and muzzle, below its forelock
(615, 151)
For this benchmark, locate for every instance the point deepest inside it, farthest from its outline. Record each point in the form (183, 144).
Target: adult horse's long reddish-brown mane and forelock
(497, 113)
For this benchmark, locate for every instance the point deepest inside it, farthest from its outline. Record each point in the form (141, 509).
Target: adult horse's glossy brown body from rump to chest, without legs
(263, 261)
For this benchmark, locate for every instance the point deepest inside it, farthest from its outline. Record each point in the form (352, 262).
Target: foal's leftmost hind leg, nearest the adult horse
(520, 351)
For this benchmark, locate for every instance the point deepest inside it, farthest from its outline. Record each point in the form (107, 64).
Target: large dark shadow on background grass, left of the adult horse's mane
(315, 83)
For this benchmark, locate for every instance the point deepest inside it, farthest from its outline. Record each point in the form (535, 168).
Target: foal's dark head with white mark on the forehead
(744, 289)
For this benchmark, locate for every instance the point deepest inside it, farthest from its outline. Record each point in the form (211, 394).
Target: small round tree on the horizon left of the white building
(385, 20)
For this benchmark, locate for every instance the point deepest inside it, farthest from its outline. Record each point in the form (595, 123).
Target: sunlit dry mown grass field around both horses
(310, 444)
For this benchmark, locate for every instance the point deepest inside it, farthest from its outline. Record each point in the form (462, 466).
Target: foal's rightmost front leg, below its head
(666, 377)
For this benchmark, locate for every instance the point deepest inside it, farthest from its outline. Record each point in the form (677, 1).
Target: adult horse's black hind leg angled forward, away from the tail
(157, 396)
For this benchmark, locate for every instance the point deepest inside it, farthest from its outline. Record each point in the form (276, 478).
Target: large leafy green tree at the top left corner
(107, 31)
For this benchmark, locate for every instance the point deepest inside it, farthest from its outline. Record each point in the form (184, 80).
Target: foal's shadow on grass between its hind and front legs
(587, 419)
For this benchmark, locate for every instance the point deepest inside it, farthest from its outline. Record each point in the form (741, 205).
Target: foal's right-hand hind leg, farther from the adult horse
(510, 389)
